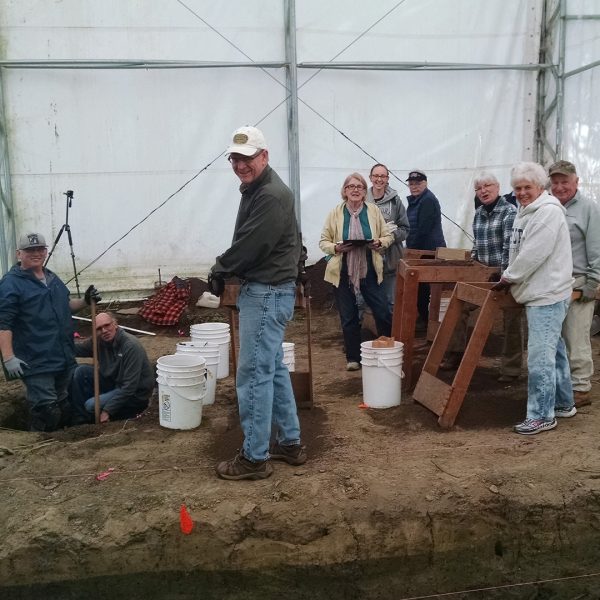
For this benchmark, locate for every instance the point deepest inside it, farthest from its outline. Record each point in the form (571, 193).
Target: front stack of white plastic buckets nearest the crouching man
(180, 393)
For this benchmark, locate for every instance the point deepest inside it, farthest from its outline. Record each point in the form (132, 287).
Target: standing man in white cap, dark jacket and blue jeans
(264, 254)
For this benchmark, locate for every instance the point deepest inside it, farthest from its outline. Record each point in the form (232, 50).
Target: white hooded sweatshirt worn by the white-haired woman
(540, 263)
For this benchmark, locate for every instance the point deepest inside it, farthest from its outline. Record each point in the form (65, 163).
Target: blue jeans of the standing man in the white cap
(264, 389)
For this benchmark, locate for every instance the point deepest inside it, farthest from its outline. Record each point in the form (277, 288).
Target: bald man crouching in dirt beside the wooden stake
(126, 378)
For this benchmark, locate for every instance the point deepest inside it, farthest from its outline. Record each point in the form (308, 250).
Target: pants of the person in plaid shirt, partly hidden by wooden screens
(512, 347)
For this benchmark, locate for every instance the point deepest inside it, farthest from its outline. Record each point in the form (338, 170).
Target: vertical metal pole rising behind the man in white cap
(292, 104)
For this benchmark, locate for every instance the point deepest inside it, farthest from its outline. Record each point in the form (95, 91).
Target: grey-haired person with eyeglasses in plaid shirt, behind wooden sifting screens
(492, 226)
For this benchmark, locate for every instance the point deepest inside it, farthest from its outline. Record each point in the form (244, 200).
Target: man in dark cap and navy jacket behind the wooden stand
(425, 220)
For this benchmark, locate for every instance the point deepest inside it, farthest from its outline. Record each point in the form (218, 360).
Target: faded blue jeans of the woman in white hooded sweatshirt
(549, 384)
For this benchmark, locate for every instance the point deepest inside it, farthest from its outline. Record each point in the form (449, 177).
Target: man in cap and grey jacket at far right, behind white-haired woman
(583, 218)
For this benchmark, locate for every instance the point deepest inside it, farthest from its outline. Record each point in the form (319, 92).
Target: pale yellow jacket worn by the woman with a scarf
(333, 232)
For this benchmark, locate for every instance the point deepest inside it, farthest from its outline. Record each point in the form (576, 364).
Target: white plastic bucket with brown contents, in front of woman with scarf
(381, 375)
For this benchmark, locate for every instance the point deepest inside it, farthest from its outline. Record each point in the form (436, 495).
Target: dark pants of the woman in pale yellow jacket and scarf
(374, 296)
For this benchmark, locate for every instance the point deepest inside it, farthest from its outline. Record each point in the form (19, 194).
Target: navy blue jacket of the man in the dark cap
(425, 219)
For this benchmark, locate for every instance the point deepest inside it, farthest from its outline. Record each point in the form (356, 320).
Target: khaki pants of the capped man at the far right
(576, 333)
